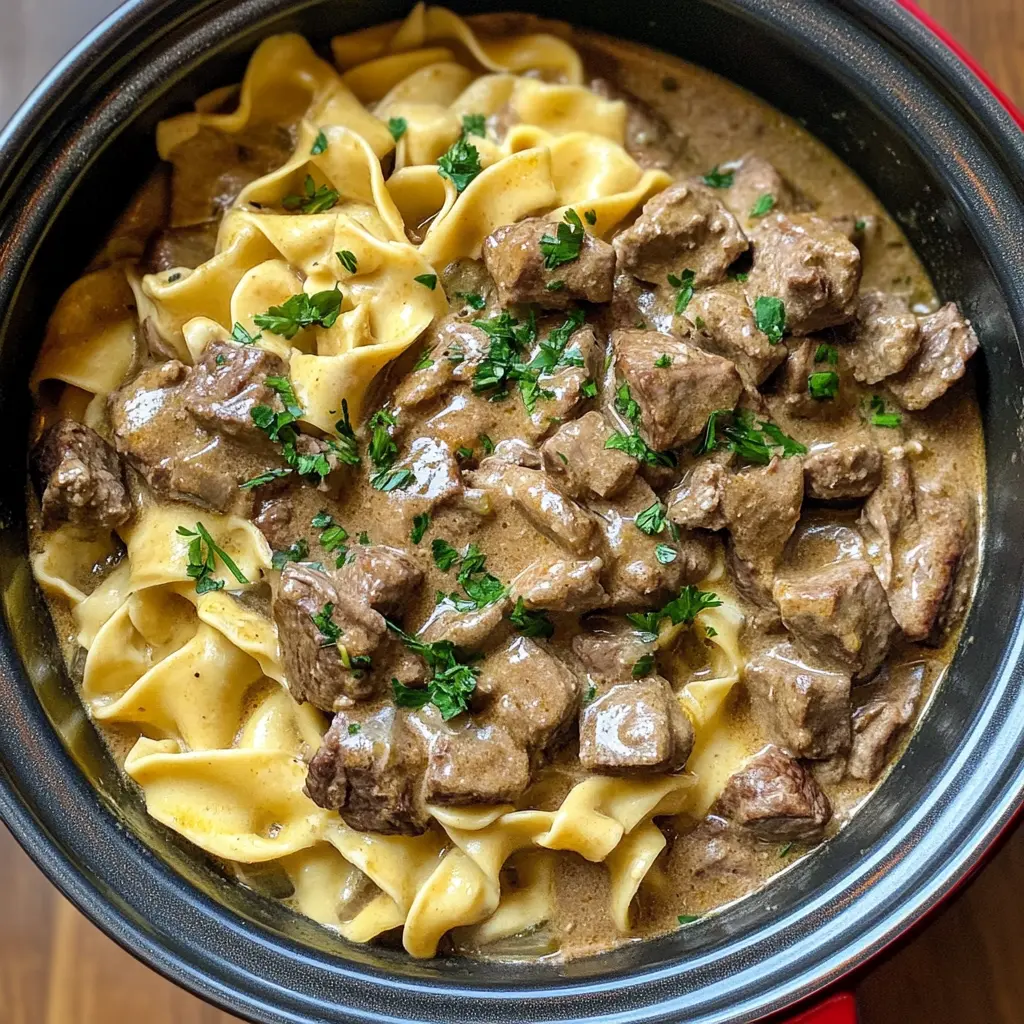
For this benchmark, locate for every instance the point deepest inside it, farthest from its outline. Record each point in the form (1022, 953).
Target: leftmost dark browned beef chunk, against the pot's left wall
(80, 478)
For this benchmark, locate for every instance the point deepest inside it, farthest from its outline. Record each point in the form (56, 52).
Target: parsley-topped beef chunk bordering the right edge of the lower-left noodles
(348, 655)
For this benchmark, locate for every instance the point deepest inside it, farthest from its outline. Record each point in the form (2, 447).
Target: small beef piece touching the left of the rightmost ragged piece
(884, 337)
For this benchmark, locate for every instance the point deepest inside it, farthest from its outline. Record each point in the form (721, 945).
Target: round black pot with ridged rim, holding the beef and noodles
(949, 163)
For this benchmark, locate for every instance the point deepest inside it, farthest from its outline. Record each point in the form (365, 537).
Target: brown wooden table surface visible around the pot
(965, 967)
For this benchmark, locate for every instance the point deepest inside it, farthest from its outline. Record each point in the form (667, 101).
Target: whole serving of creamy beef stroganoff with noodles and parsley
(501, 488)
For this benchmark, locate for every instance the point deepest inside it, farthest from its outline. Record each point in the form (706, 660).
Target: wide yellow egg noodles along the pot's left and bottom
(223, 747)
